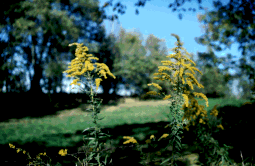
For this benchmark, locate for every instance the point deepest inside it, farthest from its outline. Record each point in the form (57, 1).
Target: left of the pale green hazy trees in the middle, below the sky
(128, 63)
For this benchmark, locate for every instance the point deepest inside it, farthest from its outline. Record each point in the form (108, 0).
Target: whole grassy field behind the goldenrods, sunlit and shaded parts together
(53, 133)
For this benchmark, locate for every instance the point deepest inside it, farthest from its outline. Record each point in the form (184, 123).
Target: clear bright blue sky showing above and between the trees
(157, 19)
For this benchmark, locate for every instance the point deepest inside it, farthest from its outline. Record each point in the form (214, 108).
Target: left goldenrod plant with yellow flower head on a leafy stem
(82, 65)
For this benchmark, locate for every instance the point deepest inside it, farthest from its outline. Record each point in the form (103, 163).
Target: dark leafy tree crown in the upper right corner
(232, 21)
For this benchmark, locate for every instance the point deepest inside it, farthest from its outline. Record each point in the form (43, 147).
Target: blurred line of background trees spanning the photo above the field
(39, 31)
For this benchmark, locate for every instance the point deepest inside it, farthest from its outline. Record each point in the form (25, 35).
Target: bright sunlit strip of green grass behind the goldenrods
(45, 126)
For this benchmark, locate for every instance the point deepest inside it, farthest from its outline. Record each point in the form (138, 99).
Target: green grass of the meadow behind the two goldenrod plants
(56, 132)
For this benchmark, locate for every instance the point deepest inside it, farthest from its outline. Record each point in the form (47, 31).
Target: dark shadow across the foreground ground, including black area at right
(238, 133)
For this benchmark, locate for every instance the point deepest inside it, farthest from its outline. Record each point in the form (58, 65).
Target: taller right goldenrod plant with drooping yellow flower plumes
(180, 78)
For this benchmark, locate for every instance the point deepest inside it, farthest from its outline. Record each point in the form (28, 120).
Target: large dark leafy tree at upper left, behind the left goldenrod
(26, 19)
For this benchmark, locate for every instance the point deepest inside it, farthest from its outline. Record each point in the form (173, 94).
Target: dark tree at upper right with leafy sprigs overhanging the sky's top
(235, 19)
